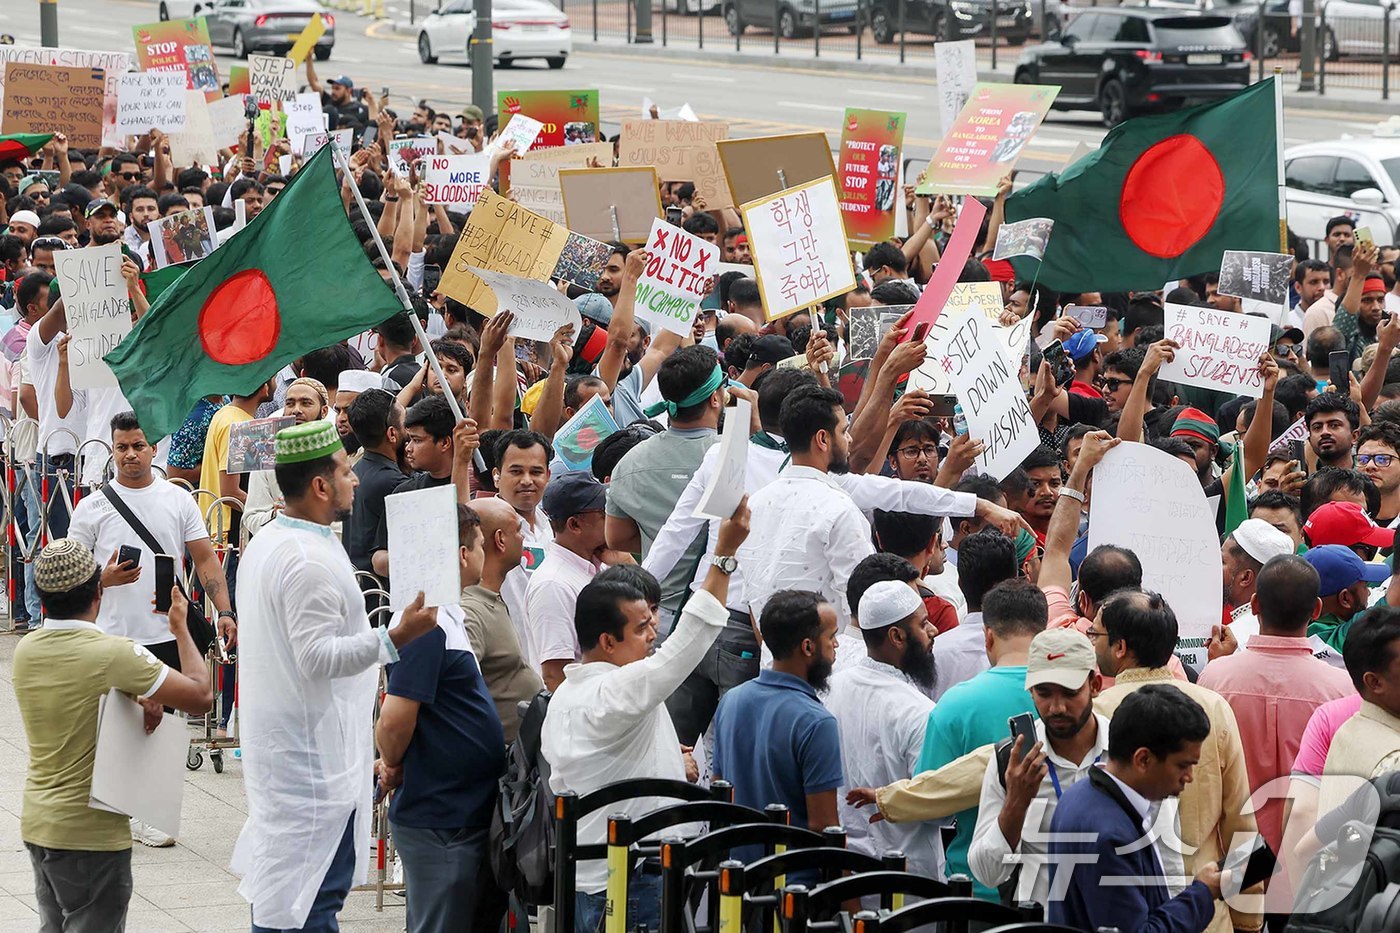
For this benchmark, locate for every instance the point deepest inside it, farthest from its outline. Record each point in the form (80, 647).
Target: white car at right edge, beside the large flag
(1354, 177)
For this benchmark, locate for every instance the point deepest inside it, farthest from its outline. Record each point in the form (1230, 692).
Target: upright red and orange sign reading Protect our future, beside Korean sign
(869, 174)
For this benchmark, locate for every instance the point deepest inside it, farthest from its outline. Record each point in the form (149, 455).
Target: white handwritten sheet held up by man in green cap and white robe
(423, 554)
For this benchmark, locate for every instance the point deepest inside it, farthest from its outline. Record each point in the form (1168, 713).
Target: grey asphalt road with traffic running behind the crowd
(755, 99)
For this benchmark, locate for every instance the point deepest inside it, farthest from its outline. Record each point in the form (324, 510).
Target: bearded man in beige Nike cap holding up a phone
(1023, 785)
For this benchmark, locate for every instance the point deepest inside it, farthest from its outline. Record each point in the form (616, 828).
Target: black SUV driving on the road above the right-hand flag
(1123, 62)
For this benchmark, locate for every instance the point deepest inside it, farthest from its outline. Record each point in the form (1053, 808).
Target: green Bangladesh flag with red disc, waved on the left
(293, 281)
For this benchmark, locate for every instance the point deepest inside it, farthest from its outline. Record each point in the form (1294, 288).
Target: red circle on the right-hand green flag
(1172, 197)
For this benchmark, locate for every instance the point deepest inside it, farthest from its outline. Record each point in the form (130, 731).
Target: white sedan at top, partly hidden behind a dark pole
(520, 30)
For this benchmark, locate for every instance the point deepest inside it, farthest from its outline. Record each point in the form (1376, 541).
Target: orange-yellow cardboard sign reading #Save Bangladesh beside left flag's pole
(502, 237)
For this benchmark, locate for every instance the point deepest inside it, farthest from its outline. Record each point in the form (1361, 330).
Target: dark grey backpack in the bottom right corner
(1345, 878)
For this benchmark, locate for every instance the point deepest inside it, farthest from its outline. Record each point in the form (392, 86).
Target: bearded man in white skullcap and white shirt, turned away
(881, 708)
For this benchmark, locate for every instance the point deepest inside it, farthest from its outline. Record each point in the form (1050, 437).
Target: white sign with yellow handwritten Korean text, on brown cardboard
(799, 247)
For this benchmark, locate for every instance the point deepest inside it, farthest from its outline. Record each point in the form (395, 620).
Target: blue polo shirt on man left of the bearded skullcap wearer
(776, 743)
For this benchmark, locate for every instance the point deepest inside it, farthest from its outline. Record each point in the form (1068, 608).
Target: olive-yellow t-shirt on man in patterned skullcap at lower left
(61, 675)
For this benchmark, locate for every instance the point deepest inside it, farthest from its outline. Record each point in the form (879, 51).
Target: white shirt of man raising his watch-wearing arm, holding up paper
(610, 724)
